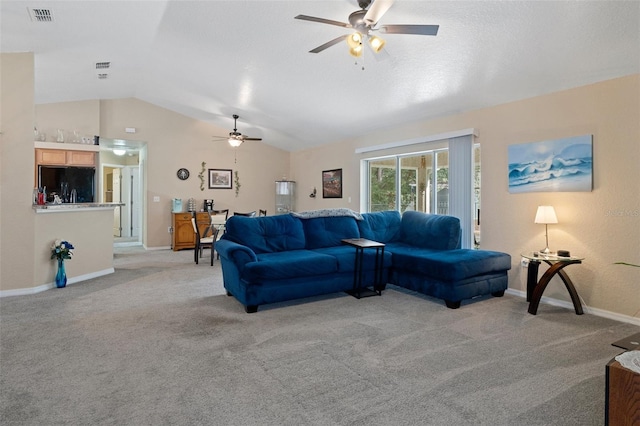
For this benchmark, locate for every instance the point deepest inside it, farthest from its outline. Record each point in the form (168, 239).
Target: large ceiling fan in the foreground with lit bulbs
(364, 23)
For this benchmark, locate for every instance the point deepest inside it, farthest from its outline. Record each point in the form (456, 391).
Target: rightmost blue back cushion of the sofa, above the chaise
(432, 231)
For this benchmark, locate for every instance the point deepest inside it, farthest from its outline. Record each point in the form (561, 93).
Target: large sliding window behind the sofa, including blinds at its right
(421, 181)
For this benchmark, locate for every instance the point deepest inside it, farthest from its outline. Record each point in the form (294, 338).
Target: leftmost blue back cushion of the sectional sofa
(266, 234)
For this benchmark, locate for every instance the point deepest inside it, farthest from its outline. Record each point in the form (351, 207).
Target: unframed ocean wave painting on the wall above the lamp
(562, 165)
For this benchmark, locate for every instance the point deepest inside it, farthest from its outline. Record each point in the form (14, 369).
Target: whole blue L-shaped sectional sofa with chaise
(277, 258)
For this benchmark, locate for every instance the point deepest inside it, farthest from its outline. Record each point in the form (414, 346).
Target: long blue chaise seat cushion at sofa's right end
(448, 265)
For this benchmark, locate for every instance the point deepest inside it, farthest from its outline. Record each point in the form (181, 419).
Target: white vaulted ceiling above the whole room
(211, 59)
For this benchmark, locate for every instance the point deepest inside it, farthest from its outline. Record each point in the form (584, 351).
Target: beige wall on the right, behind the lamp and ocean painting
(602, 225)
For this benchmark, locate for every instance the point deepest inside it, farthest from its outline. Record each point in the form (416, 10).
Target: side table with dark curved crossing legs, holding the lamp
(556, 264)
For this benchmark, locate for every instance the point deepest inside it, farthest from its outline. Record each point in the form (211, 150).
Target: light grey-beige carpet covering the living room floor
(159, 343)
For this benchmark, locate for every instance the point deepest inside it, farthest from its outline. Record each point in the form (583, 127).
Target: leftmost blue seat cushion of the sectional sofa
(290, 264)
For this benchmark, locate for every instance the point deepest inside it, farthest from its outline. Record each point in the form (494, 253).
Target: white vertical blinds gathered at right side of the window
(461, 185)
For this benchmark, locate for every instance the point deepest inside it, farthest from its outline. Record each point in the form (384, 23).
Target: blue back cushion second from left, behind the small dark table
(329, 231)
